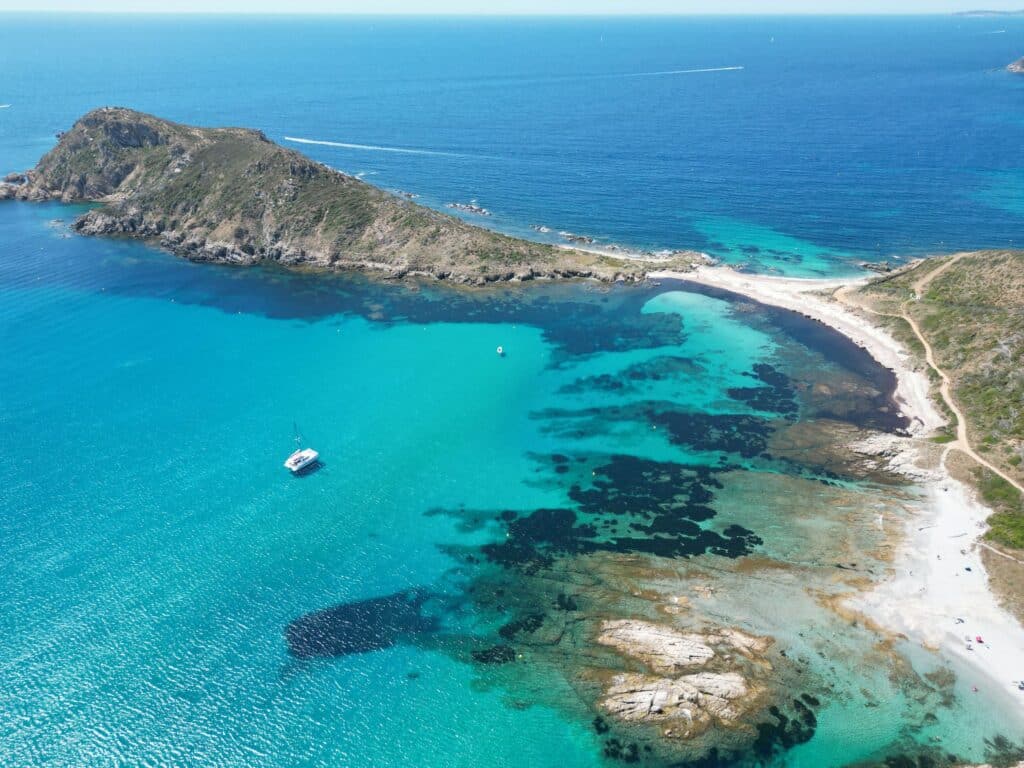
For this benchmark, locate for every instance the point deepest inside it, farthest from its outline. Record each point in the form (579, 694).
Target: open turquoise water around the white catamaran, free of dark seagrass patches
(155, 548)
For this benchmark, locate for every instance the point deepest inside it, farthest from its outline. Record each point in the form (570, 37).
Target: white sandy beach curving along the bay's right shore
(938, 577)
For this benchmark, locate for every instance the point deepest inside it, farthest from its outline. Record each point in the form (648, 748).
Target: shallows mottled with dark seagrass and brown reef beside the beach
(690, 610)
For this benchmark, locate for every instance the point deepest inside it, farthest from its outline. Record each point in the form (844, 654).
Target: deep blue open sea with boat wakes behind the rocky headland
(840, 139)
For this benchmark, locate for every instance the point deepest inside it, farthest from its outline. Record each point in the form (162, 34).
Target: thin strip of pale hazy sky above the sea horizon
(516, 7)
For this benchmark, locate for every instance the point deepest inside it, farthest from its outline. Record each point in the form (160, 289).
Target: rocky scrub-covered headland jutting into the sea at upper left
(232, 196)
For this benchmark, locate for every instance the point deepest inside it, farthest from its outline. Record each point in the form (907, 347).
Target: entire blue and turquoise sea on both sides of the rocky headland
(173, 598)
